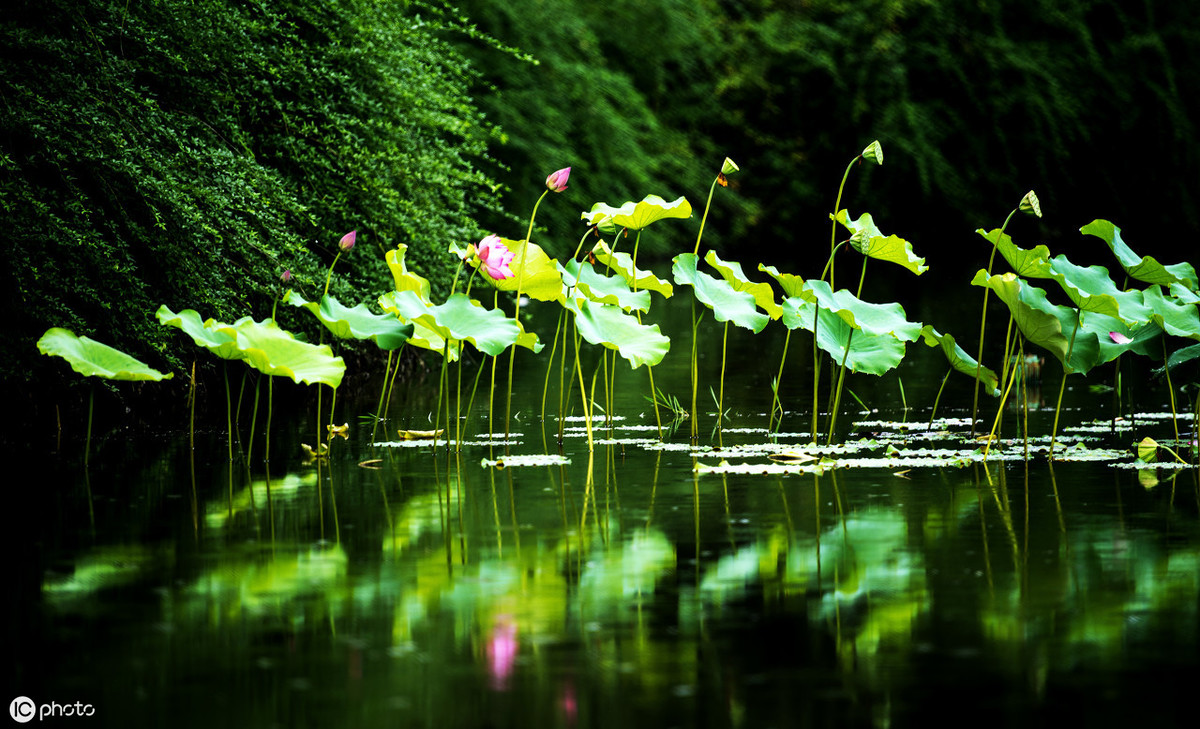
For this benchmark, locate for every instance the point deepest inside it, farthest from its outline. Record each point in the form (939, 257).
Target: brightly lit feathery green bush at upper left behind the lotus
(187, 153)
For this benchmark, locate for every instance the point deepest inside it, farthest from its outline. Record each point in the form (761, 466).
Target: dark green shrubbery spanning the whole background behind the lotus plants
(189, 153)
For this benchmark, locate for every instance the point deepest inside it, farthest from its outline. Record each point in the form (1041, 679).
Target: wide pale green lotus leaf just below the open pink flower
(465, 320)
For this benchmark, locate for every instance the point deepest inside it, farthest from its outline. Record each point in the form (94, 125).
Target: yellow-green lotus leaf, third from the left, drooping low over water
(277, 352)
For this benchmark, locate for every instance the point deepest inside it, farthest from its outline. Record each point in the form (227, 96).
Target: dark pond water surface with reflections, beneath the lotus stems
(401, 585)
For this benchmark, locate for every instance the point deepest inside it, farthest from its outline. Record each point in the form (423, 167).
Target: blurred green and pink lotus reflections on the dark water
(626, 589)
